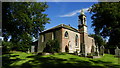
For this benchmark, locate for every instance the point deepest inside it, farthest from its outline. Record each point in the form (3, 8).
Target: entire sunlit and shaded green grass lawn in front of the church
(24, 60)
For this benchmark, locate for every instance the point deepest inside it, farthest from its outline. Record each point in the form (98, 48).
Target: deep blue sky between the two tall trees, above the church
(67, 13)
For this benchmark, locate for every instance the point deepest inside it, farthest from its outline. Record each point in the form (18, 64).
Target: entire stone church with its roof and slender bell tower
(71, 40)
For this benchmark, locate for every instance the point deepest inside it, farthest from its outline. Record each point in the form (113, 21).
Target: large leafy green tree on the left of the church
(22, 21)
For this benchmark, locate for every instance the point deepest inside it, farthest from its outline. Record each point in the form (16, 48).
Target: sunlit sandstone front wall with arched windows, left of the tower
(70, 41)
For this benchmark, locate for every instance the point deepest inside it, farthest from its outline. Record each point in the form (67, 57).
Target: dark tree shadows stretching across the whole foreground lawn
(54, 62)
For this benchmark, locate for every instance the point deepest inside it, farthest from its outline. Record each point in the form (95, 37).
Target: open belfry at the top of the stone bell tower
(82, 27)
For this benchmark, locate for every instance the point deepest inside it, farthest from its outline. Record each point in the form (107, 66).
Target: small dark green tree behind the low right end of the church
(98, 39)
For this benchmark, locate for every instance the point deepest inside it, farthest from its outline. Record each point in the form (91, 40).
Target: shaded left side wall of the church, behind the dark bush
(48, 36)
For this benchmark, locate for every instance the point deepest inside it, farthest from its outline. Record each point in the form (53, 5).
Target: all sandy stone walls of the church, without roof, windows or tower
(69, 42)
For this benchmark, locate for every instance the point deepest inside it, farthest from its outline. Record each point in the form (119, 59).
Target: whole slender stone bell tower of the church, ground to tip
(82, 28)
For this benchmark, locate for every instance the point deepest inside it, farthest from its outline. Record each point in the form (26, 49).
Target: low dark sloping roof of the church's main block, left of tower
(62, 26)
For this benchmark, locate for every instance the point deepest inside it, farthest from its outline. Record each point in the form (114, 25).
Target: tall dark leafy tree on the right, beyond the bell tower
(106, 20)
